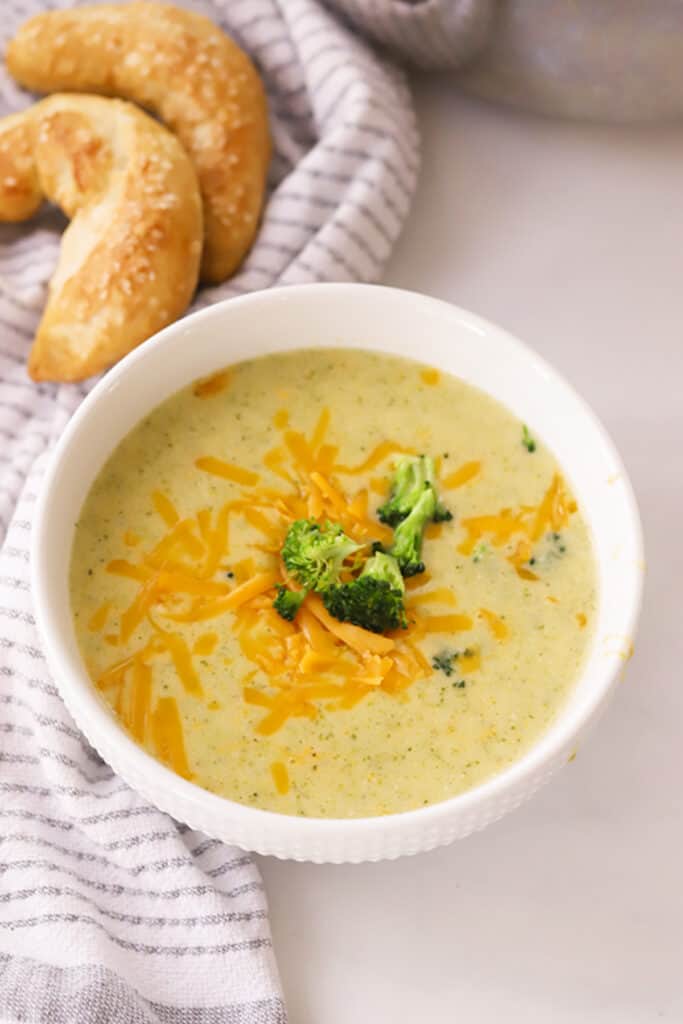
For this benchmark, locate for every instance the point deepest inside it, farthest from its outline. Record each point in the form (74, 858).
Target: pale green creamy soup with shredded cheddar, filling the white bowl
(176, 565)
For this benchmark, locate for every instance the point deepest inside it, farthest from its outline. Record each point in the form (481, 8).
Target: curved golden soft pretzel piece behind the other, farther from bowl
(182, 67)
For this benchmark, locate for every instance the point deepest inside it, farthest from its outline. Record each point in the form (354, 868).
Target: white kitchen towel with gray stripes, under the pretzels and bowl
(109, 910)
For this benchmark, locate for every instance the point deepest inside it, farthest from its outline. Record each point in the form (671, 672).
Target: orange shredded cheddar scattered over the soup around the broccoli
(315, 663)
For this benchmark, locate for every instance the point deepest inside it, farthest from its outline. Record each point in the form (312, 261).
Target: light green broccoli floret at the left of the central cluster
(314, 554)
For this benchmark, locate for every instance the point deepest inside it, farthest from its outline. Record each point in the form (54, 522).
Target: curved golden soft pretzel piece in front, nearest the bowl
(130, 260)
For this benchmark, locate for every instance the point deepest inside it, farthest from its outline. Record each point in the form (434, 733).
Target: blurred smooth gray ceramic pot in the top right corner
(605, 60)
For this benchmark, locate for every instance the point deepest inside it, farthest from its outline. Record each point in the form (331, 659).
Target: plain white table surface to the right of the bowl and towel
(572, 909)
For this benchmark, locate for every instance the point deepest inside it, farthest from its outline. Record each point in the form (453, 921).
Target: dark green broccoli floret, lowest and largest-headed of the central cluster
(375, 601)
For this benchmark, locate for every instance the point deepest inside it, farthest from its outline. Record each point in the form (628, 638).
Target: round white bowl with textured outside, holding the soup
(359, 317)
